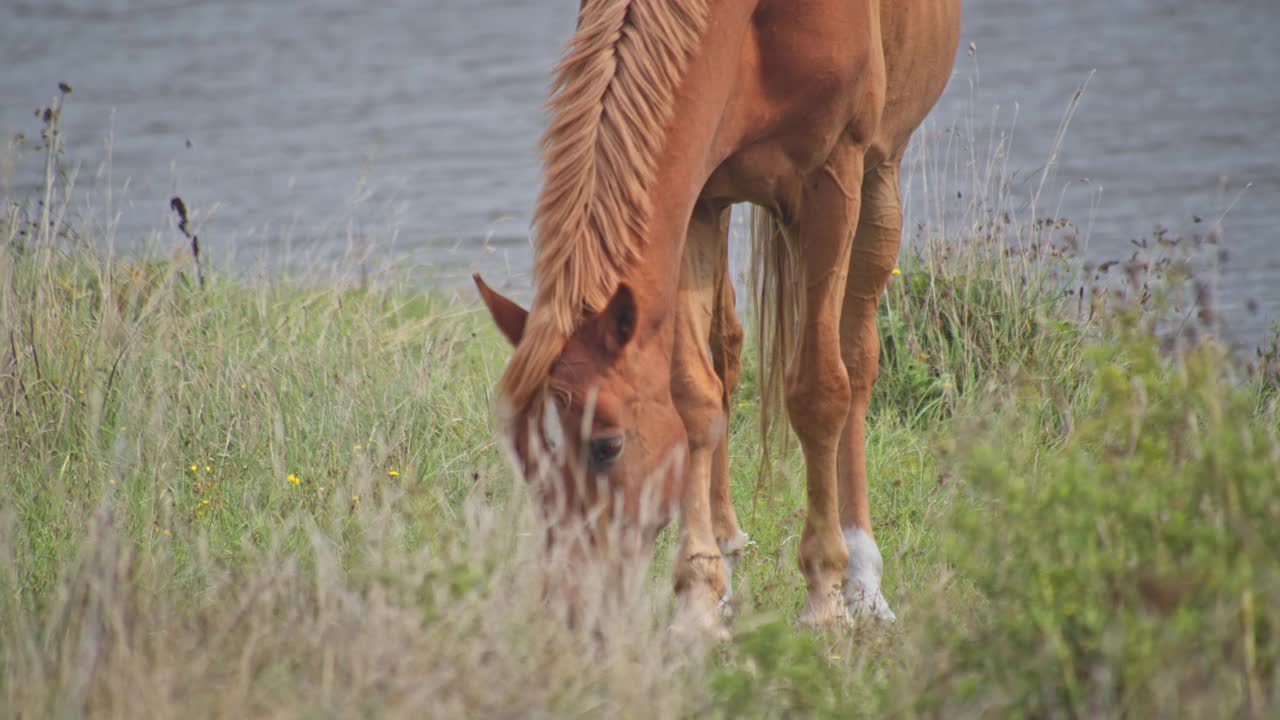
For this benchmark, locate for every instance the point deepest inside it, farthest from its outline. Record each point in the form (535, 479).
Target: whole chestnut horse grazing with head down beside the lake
(664, 115)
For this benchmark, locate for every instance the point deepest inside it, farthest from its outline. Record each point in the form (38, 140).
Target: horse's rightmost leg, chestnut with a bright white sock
(875, 254)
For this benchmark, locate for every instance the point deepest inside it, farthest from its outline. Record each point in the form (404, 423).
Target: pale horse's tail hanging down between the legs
(776, 279)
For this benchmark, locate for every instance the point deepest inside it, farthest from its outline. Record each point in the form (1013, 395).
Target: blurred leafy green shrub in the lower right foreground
(1126, 558)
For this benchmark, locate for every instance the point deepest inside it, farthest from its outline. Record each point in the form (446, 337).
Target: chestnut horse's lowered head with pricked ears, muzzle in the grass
(601, 439)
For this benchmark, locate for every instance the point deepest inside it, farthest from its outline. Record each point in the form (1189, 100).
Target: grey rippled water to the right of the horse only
(1178, 122)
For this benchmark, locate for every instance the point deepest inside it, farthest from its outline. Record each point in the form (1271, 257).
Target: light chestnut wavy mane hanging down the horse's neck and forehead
(611, 103)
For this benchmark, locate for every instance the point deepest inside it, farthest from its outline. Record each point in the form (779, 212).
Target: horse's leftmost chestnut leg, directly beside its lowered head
(700, 397)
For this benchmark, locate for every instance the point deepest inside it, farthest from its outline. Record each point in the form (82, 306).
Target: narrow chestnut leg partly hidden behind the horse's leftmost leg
(726, 347)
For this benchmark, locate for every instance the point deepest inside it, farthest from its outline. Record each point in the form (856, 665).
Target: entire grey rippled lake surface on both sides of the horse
(406, 131)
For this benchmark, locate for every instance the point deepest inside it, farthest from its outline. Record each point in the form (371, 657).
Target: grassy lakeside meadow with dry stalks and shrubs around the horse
(239, 499)
